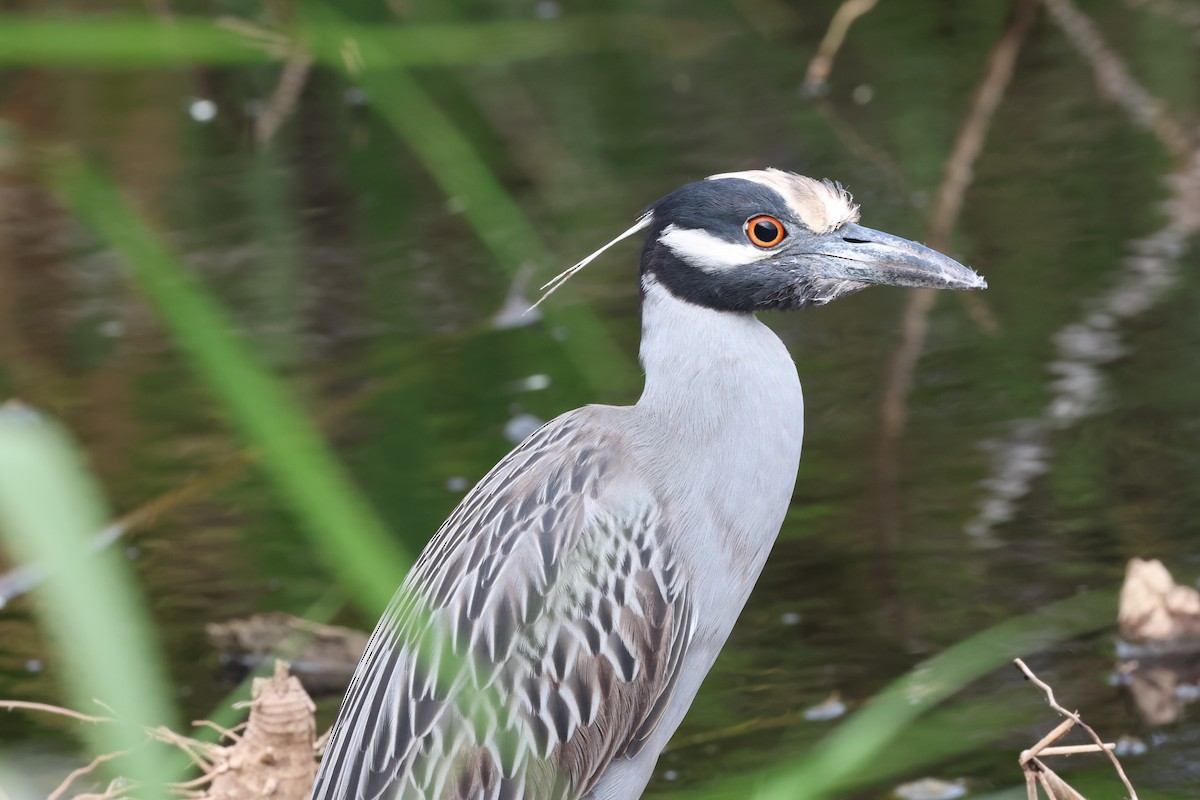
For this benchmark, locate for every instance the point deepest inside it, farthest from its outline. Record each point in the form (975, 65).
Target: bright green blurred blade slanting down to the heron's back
(293, 454)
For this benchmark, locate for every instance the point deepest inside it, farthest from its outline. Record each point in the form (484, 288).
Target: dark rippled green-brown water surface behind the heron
(352, 274)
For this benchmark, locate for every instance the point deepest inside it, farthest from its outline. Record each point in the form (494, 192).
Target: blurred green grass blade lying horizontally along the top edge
(142, 43)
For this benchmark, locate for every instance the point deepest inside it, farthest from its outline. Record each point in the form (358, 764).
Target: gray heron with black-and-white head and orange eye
(572, 605)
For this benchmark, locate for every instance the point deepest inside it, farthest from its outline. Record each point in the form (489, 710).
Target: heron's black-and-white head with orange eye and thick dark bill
(767, 239)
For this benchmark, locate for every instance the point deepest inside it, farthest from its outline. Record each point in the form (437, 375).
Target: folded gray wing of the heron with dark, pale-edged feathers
(551, 637)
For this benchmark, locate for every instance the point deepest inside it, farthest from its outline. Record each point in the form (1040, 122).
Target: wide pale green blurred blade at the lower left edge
(50, 508)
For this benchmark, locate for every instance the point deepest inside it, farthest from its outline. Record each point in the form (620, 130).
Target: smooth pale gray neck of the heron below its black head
(721, 423)
